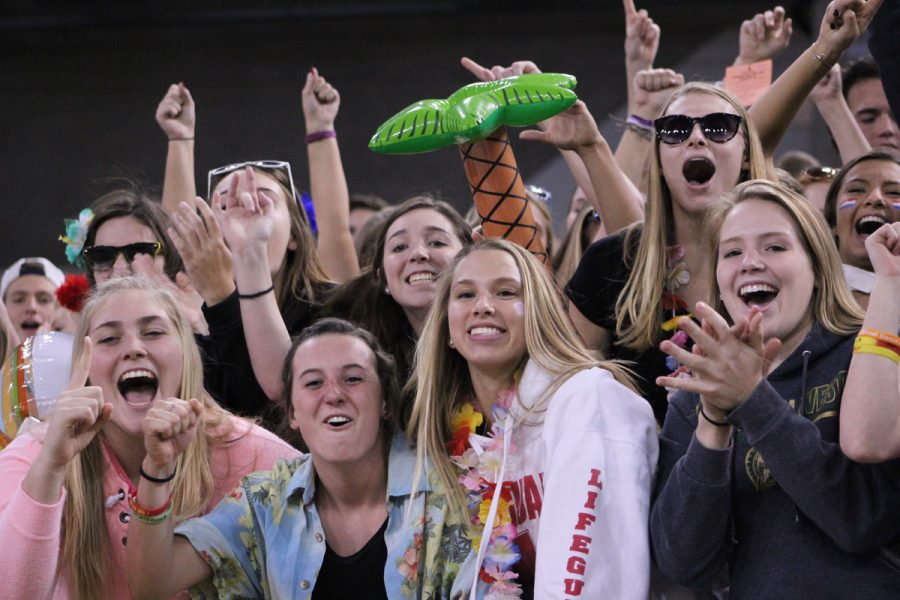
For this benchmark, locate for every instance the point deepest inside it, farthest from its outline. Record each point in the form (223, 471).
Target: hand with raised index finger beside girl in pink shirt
(80, 414)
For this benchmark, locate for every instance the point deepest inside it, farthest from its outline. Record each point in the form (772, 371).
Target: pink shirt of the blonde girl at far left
(31, 532)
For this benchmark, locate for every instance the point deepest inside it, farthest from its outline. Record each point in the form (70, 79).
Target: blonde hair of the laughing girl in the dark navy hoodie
(833, 303)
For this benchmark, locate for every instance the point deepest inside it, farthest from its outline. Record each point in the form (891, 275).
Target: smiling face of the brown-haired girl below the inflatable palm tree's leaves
(418, 247)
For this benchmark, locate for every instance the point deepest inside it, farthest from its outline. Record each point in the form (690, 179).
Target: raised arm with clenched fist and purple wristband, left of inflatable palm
(328, 186)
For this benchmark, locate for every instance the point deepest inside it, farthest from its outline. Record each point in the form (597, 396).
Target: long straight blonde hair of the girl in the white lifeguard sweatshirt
(441, 378)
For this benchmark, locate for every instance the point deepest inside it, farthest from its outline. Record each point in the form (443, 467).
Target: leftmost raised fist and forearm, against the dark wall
(176, 115)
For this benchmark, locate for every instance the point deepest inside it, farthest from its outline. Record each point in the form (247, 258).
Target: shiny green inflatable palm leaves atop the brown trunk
(473, 112)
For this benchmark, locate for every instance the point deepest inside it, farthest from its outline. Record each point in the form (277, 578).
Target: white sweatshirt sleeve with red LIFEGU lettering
(600, 449)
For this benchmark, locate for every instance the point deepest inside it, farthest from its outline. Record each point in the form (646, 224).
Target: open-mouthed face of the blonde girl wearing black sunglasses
(697, 170)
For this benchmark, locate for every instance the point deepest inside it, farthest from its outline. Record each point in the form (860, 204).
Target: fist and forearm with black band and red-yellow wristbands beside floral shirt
(158, 564)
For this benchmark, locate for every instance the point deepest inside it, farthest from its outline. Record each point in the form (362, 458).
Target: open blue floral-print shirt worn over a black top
(265, 539)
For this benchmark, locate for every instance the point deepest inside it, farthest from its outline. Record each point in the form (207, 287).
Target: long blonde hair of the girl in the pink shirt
(86, 544)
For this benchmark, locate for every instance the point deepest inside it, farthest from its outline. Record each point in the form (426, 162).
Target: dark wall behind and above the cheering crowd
(80, 85)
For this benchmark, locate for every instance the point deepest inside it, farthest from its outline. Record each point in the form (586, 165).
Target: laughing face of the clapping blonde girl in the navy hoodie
(763, 262)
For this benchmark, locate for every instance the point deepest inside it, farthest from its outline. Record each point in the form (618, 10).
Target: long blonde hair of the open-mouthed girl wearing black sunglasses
(638, 312)
